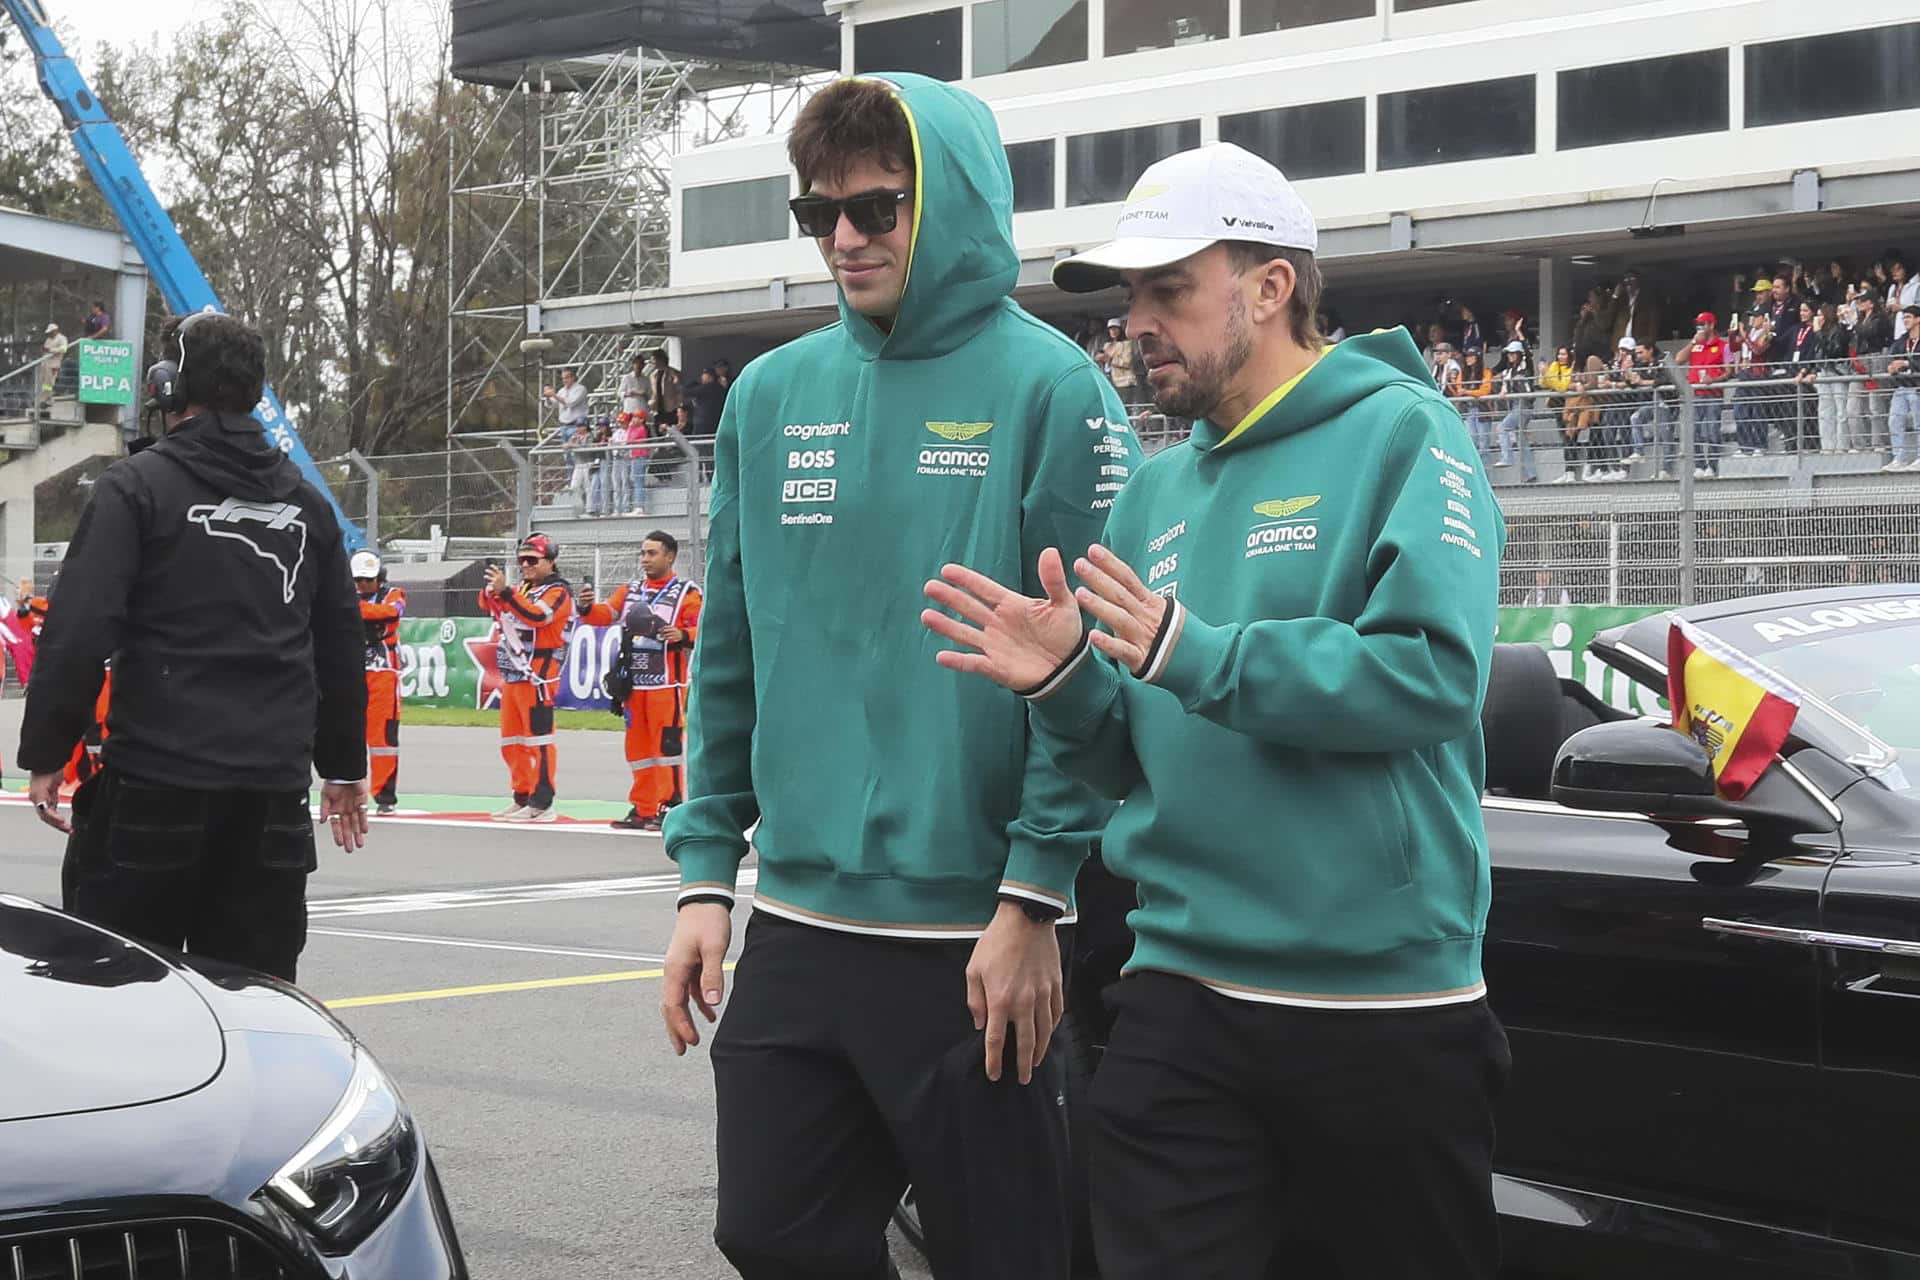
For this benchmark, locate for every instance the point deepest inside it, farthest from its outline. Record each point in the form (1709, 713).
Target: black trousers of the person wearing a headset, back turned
(218, 874)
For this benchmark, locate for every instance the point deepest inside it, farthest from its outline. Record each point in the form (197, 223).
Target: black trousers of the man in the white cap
(1234, 1135)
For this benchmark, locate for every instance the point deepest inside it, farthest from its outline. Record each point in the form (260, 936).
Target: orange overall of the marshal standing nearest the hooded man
(658, 709)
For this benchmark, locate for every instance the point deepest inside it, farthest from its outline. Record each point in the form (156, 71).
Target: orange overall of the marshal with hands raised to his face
(533, 648)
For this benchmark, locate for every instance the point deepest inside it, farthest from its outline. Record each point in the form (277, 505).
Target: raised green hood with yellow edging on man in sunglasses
(959, 277)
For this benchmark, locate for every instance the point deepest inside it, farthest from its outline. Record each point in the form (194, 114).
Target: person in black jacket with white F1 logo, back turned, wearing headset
(216, 581)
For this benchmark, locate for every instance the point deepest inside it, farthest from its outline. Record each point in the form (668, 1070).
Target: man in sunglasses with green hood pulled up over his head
(901, 976)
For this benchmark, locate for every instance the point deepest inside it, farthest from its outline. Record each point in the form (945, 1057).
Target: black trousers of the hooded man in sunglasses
(848, 1068)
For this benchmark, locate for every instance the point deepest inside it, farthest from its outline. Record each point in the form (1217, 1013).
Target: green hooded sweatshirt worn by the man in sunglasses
(894, 795)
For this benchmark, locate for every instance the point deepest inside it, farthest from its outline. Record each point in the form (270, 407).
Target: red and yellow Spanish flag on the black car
(1727, 703)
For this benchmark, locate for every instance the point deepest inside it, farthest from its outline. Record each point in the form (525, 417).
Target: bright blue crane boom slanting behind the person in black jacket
(141, 216)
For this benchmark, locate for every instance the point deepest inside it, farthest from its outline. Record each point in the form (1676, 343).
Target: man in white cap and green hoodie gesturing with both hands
(1299, 617)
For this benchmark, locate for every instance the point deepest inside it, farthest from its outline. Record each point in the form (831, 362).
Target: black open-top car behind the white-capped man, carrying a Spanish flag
(1714, 1007)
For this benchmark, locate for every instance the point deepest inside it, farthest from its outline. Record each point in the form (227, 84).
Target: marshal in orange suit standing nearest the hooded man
(660, 617)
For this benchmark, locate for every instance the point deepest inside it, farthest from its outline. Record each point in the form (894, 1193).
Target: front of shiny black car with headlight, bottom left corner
(180, 1120)
